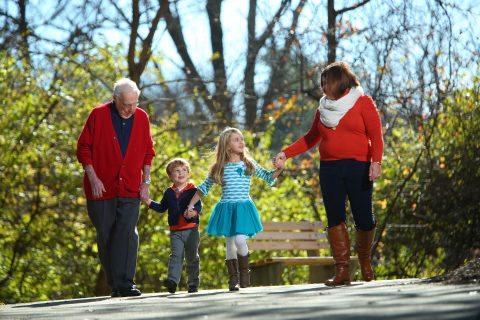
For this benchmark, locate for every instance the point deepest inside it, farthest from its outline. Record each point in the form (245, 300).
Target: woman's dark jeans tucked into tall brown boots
(342, 178)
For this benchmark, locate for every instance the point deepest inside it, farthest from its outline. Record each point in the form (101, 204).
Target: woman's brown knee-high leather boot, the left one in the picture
(340, 246)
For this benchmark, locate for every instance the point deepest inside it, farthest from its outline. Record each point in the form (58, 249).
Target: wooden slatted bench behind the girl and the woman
(293, 236)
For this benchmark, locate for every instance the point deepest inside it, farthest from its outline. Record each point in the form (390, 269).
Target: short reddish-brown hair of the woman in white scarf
(336, 78)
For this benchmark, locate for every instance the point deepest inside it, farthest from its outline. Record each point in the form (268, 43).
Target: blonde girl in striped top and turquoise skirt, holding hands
(235, 215)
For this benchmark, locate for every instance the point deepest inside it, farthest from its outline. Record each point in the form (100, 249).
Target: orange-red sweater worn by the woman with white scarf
(357, 136)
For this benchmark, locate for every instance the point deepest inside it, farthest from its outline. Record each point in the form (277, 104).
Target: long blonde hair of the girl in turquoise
(222, 154)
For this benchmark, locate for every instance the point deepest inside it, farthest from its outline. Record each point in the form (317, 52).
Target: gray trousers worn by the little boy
(184, 243)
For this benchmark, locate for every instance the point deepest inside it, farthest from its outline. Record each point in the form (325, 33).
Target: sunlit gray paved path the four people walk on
(389, 299)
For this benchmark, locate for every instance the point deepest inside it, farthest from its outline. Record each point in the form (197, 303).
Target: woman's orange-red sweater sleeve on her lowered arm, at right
(373, 127)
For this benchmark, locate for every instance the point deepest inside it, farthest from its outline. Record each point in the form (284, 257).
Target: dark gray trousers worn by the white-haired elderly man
(115, 221)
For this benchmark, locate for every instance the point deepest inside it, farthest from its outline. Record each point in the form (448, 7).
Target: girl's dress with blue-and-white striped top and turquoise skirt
(235, 213)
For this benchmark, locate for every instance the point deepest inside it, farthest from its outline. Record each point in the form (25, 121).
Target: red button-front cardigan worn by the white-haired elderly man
(98, 145)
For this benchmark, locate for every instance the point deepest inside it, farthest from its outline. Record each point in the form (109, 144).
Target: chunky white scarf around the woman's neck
(332, 111)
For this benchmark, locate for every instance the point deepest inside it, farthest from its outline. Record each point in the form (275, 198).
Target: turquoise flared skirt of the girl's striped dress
(230, 218)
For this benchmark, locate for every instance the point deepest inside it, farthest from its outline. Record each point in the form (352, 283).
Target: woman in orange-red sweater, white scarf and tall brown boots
(348, 130)
